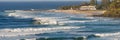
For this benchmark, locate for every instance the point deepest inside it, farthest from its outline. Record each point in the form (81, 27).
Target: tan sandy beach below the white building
(87, 12)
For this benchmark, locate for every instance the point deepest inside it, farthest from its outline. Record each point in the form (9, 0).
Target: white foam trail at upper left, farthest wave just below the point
(31, 15)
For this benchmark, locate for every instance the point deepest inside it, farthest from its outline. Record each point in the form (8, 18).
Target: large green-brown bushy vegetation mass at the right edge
(113, 9)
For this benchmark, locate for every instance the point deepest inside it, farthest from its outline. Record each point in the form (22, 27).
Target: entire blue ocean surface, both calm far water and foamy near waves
(25, 25)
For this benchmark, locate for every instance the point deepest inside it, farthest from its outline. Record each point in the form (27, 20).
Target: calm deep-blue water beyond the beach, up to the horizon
(34, 5)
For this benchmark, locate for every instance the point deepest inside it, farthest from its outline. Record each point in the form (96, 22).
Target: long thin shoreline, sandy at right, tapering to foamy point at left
(86, 12)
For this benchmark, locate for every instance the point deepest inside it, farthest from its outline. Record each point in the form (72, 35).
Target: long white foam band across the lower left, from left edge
(28, 31)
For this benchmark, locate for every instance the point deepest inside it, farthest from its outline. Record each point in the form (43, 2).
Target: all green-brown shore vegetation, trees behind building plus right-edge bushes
(112, 7)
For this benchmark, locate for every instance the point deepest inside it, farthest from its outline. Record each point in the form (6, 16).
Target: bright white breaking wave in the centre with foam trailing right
(52, 21)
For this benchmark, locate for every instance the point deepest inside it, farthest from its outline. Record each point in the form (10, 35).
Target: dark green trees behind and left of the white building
(76, 7)
